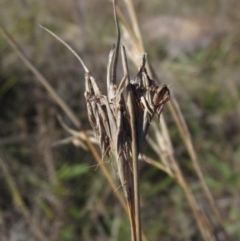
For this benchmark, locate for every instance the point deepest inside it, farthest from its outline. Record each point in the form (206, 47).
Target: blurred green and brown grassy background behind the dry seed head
(56, 191)
